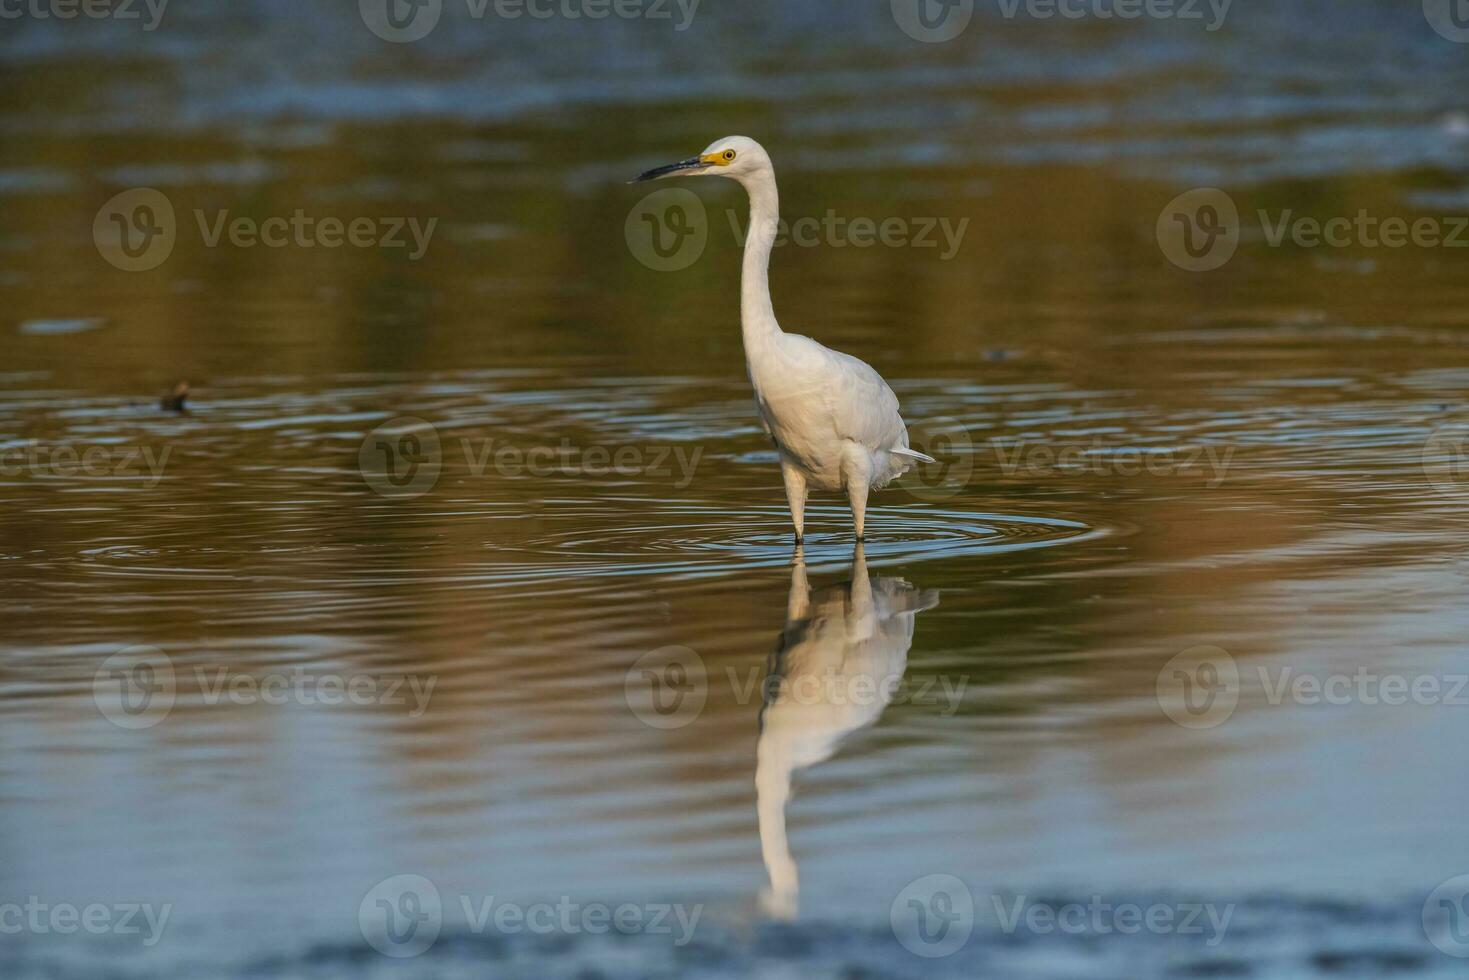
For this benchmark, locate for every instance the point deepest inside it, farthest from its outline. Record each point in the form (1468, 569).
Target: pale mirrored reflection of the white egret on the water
(841, 659)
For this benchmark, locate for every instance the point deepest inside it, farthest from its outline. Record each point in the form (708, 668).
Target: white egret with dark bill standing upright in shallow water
(832, 418)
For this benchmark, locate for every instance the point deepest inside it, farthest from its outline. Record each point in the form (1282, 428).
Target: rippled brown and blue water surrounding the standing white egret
(1264, 459)
